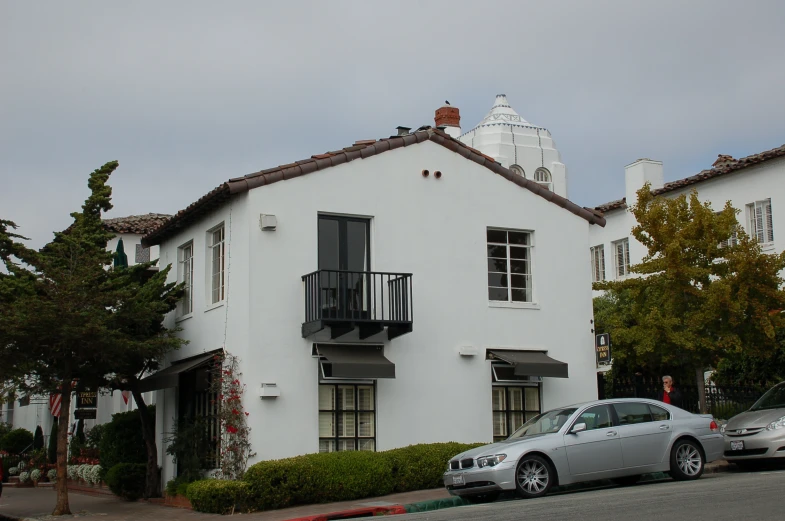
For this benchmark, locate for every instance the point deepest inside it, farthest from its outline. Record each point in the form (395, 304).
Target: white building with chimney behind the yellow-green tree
(753, 184)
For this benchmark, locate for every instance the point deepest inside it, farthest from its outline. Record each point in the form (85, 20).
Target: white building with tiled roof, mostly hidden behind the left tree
(30, 411)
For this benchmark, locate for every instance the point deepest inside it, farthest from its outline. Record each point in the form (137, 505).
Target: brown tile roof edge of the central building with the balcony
(361, 150)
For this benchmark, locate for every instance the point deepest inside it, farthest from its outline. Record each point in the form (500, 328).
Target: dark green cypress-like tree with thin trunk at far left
(66, 319)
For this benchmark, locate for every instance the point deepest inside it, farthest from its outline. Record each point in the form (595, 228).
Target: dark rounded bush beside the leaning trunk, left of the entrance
(122, 441)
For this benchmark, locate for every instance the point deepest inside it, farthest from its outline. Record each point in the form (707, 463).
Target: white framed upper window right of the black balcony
(509, 265)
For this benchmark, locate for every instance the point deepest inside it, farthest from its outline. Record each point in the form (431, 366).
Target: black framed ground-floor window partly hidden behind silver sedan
(512, 407)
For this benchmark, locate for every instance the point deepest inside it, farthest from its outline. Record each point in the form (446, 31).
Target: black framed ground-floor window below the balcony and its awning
(347, 417)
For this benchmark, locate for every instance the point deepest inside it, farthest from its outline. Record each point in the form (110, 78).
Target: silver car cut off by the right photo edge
(758, 433)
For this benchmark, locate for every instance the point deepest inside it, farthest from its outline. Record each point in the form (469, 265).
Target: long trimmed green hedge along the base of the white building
(346, 476)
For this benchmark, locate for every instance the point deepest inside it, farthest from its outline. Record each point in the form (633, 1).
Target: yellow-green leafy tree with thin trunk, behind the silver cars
(697, 301)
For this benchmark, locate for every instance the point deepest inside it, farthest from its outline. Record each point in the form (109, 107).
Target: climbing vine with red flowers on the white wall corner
(235, 432)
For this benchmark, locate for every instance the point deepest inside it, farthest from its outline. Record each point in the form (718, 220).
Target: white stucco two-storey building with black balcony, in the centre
(399, 291)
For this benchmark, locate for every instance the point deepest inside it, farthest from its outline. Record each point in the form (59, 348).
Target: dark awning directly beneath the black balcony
(354, 361)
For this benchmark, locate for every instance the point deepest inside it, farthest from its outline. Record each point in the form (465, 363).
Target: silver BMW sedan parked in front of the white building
(618, 439)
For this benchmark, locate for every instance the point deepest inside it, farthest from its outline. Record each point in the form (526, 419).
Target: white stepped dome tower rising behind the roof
(526, 149)
